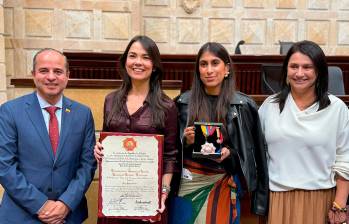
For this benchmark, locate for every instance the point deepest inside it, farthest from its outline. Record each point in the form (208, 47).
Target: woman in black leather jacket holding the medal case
(209, 189)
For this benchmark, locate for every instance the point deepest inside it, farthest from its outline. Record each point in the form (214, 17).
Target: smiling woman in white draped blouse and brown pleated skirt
(307, 131)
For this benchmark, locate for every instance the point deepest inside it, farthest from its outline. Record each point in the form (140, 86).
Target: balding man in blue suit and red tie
(46, 168)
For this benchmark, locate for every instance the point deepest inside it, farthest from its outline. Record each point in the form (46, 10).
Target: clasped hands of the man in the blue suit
(55, 213)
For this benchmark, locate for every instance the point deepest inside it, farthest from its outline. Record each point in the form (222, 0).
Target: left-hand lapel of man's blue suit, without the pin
(35, 115)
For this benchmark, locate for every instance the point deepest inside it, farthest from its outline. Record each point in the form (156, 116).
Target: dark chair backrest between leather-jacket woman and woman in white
(271, 78)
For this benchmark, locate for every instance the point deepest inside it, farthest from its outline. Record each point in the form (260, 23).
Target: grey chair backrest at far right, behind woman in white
(335, 80)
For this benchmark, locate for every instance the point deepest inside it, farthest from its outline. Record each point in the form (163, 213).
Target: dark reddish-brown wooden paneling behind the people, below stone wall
(247, 68)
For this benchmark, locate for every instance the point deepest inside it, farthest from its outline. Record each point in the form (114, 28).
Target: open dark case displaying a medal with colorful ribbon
(208, 140)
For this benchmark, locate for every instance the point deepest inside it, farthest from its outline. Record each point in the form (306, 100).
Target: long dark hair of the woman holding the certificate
(156, 96)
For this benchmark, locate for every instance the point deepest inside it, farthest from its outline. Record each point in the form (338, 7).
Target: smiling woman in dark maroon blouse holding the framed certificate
(140, 106)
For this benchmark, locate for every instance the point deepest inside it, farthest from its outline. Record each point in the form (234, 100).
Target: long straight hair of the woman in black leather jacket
(199, 107)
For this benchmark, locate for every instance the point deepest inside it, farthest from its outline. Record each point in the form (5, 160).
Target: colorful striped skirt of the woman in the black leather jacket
(208, 196)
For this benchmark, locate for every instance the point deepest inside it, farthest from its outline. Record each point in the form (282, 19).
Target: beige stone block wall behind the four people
(107, 26)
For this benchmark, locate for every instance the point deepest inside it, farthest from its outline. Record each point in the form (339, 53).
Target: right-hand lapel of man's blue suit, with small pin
(67, 116)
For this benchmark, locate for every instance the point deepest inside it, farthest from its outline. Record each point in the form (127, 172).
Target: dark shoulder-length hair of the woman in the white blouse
(317, 56)
